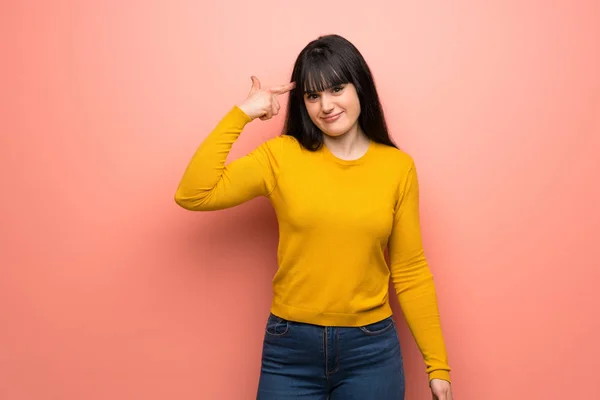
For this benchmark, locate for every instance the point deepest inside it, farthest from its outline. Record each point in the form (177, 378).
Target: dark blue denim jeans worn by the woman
(303, 361)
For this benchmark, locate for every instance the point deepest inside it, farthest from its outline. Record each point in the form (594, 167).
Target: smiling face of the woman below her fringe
(335, 111)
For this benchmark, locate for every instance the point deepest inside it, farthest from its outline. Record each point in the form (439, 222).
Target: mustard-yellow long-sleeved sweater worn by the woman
(336, 218)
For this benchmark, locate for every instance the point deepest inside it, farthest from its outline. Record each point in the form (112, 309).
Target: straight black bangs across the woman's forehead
(322, 71)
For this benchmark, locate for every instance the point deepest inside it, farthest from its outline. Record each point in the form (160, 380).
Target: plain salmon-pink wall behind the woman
(109, 291)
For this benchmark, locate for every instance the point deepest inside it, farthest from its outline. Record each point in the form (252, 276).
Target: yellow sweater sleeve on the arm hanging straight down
(413, 280)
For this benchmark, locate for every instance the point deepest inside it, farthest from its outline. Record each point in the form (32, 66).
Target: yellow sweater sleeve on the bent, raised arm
(209, 184)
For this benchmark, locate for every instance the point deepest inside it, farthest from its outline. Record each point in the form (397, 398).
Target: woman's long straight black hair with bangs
(326, 62)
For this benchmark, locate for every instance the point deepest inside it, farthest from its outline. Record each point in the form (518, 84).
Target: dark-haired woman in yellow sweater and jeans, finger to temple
(343, 193)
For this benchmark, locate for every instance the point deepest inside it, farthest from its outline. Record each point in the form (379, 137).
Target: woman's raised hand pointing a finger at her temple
(262, 103)
